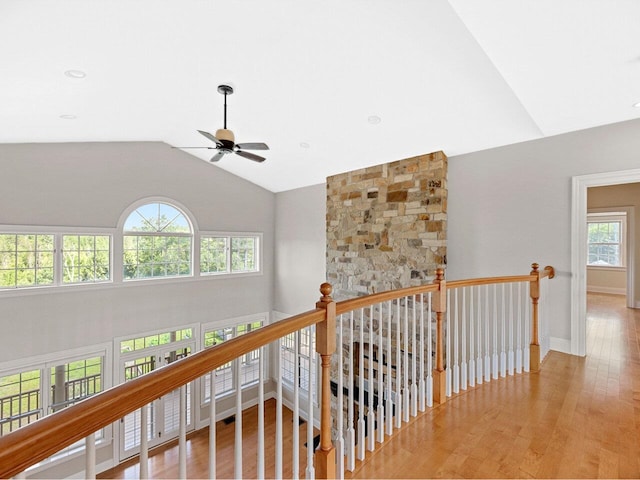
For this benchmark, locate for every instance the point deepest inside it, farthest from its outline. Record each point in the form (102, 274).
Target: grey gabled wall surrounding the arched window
(89, 185)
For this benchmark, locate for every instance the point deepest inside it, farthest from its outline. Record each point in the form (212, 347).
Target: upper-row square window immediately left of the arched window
(86, 258)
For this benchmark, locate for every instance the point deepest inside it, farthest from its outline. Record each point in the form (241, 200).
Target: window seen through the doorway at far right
(606, 233)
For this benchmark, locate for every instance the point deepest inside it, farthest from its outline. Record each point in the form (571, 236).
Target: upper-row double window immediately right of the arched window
(229, 254)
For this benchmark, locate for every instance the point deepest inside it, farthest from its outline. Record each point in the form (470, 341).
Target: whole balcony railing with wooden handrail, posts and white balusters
(384, 358)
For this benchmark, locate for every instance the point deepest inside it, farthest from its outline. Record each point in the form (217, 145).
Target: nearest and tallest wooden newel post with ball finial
(325, 456)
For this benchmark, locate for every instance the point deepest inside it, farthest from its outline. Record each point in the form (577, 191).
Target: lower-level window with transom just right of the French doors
(249, 366)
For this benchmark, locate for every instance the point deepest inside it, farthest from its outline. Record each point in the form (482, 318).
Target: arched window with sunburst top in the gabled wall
(157, 242)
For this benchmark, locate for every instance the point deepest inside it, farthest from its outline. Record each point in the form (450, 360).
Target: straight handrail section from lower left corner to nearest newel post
(41, 439)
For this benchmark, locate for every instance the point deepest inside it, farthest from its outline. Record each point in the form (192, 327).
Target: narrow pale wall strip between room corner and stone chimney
(300, 239)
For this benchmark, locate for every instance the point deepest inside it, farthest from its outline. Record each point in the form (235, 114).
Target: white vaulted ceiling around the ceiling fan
(458, 75)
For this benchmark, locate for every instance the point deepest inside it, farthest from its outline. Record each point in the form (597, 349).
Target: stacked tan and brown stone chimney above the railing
(386, 225)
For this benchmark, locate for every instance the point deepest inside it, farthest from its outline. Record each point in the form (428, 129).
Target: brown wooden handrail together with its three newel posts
(39, 440)
